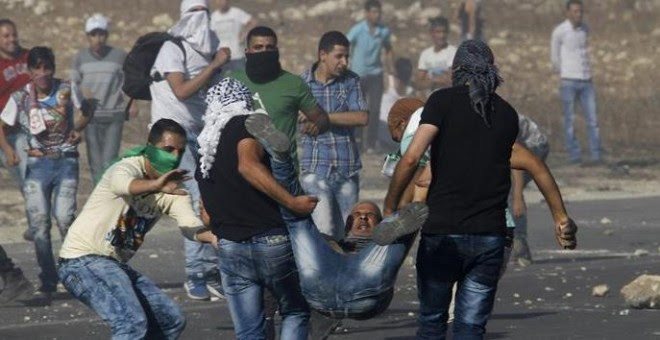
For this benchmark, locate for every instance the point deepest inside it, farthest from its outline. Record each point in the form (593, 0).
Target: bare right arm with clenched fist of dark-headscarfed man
(565, 228)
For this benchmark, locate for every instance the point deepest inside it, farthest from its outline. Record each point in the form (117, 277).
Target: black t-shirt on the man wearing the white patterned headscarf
(238, 211)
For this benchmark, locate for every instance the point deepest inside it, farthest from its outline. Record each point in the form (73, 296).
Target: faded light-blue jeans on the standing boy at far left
(50, 188)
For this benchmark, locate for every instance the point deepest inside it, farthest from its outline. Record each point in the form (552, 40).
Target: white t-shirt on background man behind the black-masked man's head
(228, 27)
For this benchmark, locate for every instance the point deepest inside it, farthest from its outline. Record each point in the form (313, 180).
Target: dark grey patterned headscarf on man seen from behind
(474, 65)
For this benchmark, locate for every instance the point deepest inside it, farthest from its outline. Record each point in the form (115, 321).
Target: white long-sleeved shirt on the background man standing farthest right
(569, 51)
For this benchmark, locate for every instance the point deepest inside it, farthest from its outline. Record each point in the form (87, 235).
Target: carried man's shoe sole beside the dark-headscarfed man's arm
(403, 222)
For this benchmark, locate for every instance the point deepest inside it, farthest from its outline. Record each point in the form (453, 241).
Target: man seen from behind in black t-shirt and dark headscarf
(471, 131)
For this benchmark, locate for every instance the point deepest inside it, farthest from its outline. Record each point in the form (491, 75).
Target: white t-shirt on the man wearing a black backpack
(164, 103)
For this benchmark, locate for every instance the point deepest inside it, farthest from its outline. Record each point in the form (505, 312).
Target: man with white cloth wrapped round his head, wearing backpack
(186, 75)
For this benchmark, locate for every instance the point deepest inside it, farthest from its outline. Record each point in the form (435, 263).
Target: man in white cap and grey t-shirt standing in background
(97, 70)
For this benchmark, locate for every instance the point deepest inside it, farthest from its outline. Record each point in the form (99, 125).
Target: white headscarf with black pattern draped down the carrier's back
(227, 99)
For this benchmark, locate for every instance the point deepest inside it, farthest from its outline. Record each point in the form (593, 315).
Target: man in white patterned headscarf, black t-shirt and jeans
(244, 208)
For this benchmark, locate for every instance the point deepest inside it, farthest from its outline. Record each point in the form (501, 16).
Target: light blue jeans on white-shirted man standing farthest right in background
(584, 89)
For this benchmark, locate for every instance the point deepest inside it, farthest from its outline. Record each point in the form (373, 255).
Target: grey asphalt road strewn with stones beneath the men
(548, 300)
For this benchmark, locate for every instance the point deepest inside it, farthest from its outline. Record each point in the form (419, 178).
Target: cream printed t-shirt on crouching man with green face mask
(114, 223)
